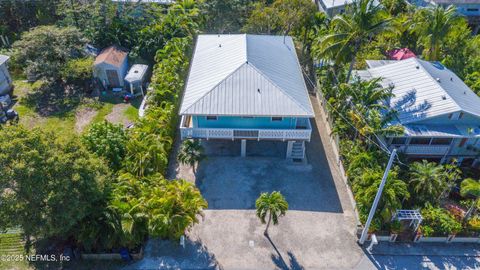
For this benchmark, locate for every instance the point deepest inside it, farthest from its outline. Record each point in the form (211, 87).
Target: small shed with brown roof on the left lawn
(111, 66)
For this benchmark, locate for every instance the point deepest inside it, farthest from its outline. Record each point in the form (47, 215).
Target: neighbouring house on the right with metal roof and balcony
(440, 113)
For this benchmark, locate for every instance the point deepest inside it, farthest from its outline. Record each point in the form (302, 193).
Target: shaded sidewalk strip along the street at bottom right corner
(427, 249)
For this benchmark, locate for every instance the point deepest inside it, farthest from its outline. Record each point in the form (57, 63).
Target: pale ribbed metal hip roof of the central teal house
(249, 75)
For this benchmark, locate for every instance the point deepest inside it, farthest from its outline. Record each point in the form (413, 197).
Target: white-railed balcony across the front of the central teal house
(302, 132)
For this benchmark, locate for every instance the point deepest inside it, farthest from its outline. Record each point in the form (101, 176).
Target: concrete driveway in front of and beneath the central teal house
(317, 231)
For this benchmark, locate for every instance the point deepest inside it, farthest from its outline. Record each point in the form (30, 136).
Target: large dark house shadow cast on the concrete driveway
(232, 182)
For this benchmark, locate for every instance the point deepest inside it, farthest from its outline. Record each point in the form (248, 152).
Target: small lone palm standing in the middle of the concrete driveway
(274, 205)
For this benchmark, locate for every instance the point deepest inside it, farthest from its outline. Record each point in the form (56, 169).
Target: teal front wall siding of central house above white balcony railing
(244, 122)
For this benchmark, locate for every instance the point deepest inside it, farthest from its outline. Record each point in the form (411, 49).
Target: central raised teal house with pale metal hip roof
(247, 87)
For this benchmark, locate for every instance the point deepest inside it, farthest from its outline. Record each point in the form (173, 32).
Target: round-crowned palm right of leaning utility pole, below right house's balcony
(427, 180)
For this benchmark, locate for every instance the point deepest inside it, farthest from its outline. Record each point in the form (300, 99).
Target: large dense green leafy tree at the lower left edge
(48, 187)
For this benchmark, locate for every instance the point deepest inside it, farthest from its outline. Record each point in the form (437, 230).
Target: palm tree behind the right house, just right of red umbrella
(433, 25)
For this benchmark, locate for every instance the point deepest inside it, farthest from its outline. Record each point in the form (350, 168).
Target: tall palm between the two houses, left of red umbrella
(357, 26)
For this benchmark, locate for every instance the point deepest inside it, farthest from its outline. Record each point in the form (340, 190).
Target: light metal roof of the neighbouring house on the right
(425, 89)
